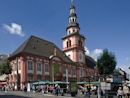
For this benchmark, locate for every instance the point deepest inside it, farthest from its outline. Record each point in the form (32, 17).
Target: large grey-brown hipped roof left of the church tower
(37, 46)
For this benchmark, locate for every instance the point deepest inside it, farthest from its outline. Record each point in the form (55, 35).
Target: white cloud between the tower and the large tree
(94, 54)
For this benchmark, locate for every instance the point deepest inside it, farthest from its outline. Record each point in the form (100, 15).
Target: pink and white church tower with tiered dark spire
(73, 42)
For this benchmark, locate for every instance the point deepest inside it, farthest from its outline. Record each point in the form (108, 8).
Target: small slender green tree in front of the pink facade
(55, 71)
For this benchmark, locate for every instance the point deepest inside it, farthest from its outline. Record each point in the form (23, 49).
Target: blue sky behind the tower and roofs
(104, 23)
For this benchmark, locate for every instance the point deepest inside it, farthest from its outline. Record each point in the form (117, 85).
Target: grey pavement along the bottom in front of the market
(21, 94)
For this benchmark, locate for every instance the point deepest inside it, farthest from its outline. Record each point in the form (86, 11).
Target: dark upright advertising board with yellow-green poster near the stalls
(73, 85)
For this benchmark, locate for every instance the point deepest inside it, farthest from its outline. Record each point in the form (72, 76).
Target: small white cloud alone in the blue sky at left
(14, 29)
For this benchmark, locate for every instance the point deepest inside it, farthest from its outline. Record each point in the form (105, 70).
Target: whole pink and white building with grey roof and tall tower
(37, 56)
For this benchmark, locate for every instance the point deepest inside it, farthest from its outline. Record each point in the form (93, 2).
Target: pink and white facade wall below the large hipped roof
(34, 75)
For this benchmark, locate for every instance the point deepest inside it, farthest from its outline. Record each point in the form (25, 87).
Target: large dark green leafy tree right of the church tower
(106, 62)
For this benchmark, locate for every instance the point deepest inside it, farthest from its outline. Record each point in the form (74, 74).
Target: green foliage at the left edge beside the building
(5, 68)
